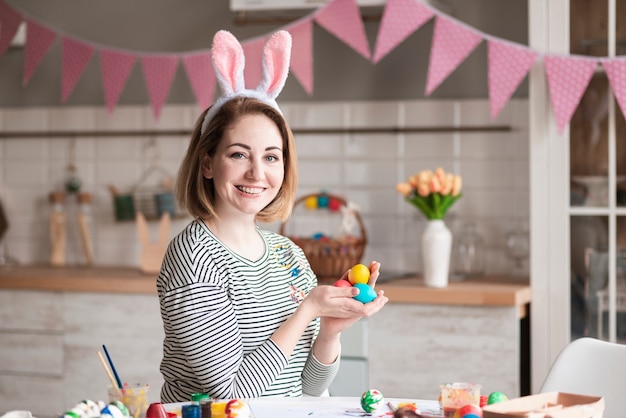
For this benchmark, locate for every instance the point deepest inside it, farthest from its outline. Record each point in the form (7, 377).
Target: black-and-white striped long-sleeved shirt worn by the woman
(219, 311)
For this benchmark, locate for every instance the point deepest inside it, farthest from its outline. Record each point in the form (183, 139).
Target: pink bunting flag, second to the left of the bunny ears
(159, 72)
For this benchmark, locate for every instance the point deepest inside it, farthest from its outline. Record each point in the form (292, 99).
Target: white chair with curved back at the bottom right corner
(588, 366)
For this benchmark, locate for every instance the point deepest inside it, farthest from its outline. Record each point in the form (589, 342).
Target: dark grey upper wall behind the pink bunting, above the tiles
(186, 25)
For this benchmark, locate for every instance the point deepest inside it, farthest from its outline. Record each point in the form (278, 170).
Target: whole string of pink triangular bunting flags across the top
(508, 63)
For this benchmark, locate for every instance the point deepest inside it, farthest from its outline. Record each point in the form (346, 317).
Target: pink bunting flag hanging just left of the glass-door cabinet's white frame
(508, 65)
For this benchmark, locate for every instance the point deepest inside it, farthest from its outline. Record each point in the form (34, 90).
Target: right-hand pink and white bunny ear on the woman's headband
(276, 57)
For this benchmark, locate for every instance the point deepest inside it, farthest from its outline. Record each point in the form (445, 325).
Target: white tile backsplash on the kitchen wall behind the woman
(363, 168)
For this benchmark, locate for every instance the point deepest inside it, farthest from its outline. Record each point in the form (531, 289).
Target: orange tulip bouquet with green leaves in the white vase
(432, 193)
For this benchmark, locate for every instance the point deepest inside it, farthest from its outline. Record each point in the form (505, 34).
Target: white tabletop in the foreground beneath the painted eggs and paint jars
(311, 407)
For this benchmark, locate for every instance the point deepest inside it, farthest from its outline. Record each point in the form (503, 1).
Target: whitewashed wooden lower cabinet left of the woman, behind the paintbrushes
(49, 343)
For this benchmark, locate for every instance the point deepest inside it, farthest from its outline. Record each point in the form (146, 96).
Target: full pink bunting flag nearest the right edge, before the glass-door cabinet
(568, 78)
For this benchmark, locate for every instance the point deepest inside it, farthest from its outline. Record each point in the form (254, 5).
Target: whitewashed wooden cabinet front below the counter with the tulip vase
(415, 347)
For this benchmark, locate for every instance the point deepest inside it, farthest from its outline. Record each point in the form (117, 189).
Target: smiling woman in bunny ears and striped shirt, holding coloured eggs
(242, 313)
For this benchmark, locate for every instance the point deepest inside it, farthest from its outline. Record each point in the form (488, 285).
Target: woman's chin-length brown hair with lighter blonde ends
(197, 193)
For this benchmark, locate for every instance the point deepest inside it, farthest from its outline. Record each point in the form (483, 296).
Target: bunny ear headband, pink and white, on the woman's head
(229, 61)
